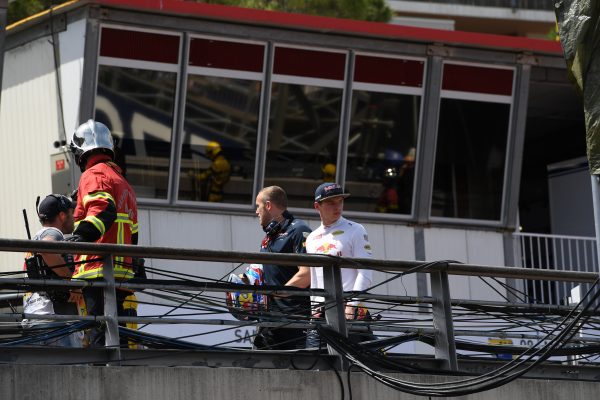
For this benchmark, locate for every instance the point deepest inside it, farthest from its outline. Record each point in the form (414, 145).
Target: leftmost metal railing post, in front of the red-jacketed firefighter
(111, 337)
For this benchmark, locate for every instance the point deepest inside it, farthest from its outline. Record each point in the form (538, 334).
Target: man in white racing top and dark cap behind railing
(341, 237)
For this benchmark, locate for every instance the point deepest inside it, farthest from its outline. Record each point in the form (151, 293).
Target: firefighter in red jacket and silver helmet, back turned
(106, 212)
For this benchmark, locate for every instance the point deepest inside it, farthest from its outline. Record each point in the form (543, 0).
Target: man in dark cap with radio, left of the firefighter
(55, 213)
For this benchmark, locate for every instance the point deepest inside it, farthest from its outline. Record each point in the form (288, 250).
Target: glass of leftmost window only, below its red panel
(137, 106)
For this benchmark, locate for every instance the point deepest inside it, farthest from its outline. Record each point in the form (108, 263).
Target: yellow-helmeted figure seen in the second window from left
(215, 178)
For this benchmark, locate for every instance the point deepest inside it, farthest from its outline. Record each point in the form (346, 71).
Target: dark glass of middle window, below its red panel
(303, 138)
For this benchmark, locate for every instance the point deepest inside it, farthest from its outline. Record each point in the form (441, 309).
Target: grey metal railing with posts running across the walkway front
(441, 327)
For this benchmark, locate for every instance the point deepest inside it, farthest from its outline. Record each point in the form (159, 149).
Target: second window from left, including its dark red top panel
(221, 121)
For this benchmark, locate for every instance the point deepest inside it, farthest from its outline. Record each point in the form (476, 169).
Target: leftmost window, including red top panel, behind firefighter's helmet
(135, 98)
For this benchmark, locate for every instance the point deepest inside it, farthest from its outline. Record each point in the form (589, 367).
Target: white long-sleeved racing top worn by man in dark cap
(343, 238)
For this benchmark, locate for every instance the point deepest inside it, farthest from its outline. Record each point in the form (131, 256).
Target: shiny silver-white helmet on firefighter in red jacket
(90, 136)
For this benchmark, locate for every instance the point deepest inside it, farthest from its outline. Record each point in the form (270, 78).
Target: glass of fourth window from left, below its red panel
(381, 152)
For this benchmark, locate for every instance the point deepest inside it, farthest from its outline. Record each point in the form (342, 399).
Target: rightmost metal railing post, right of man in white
(445, 347)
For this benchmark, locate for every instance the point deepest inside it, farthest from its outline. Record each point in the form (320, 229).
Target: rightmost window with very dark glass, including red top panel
(472, 138)
